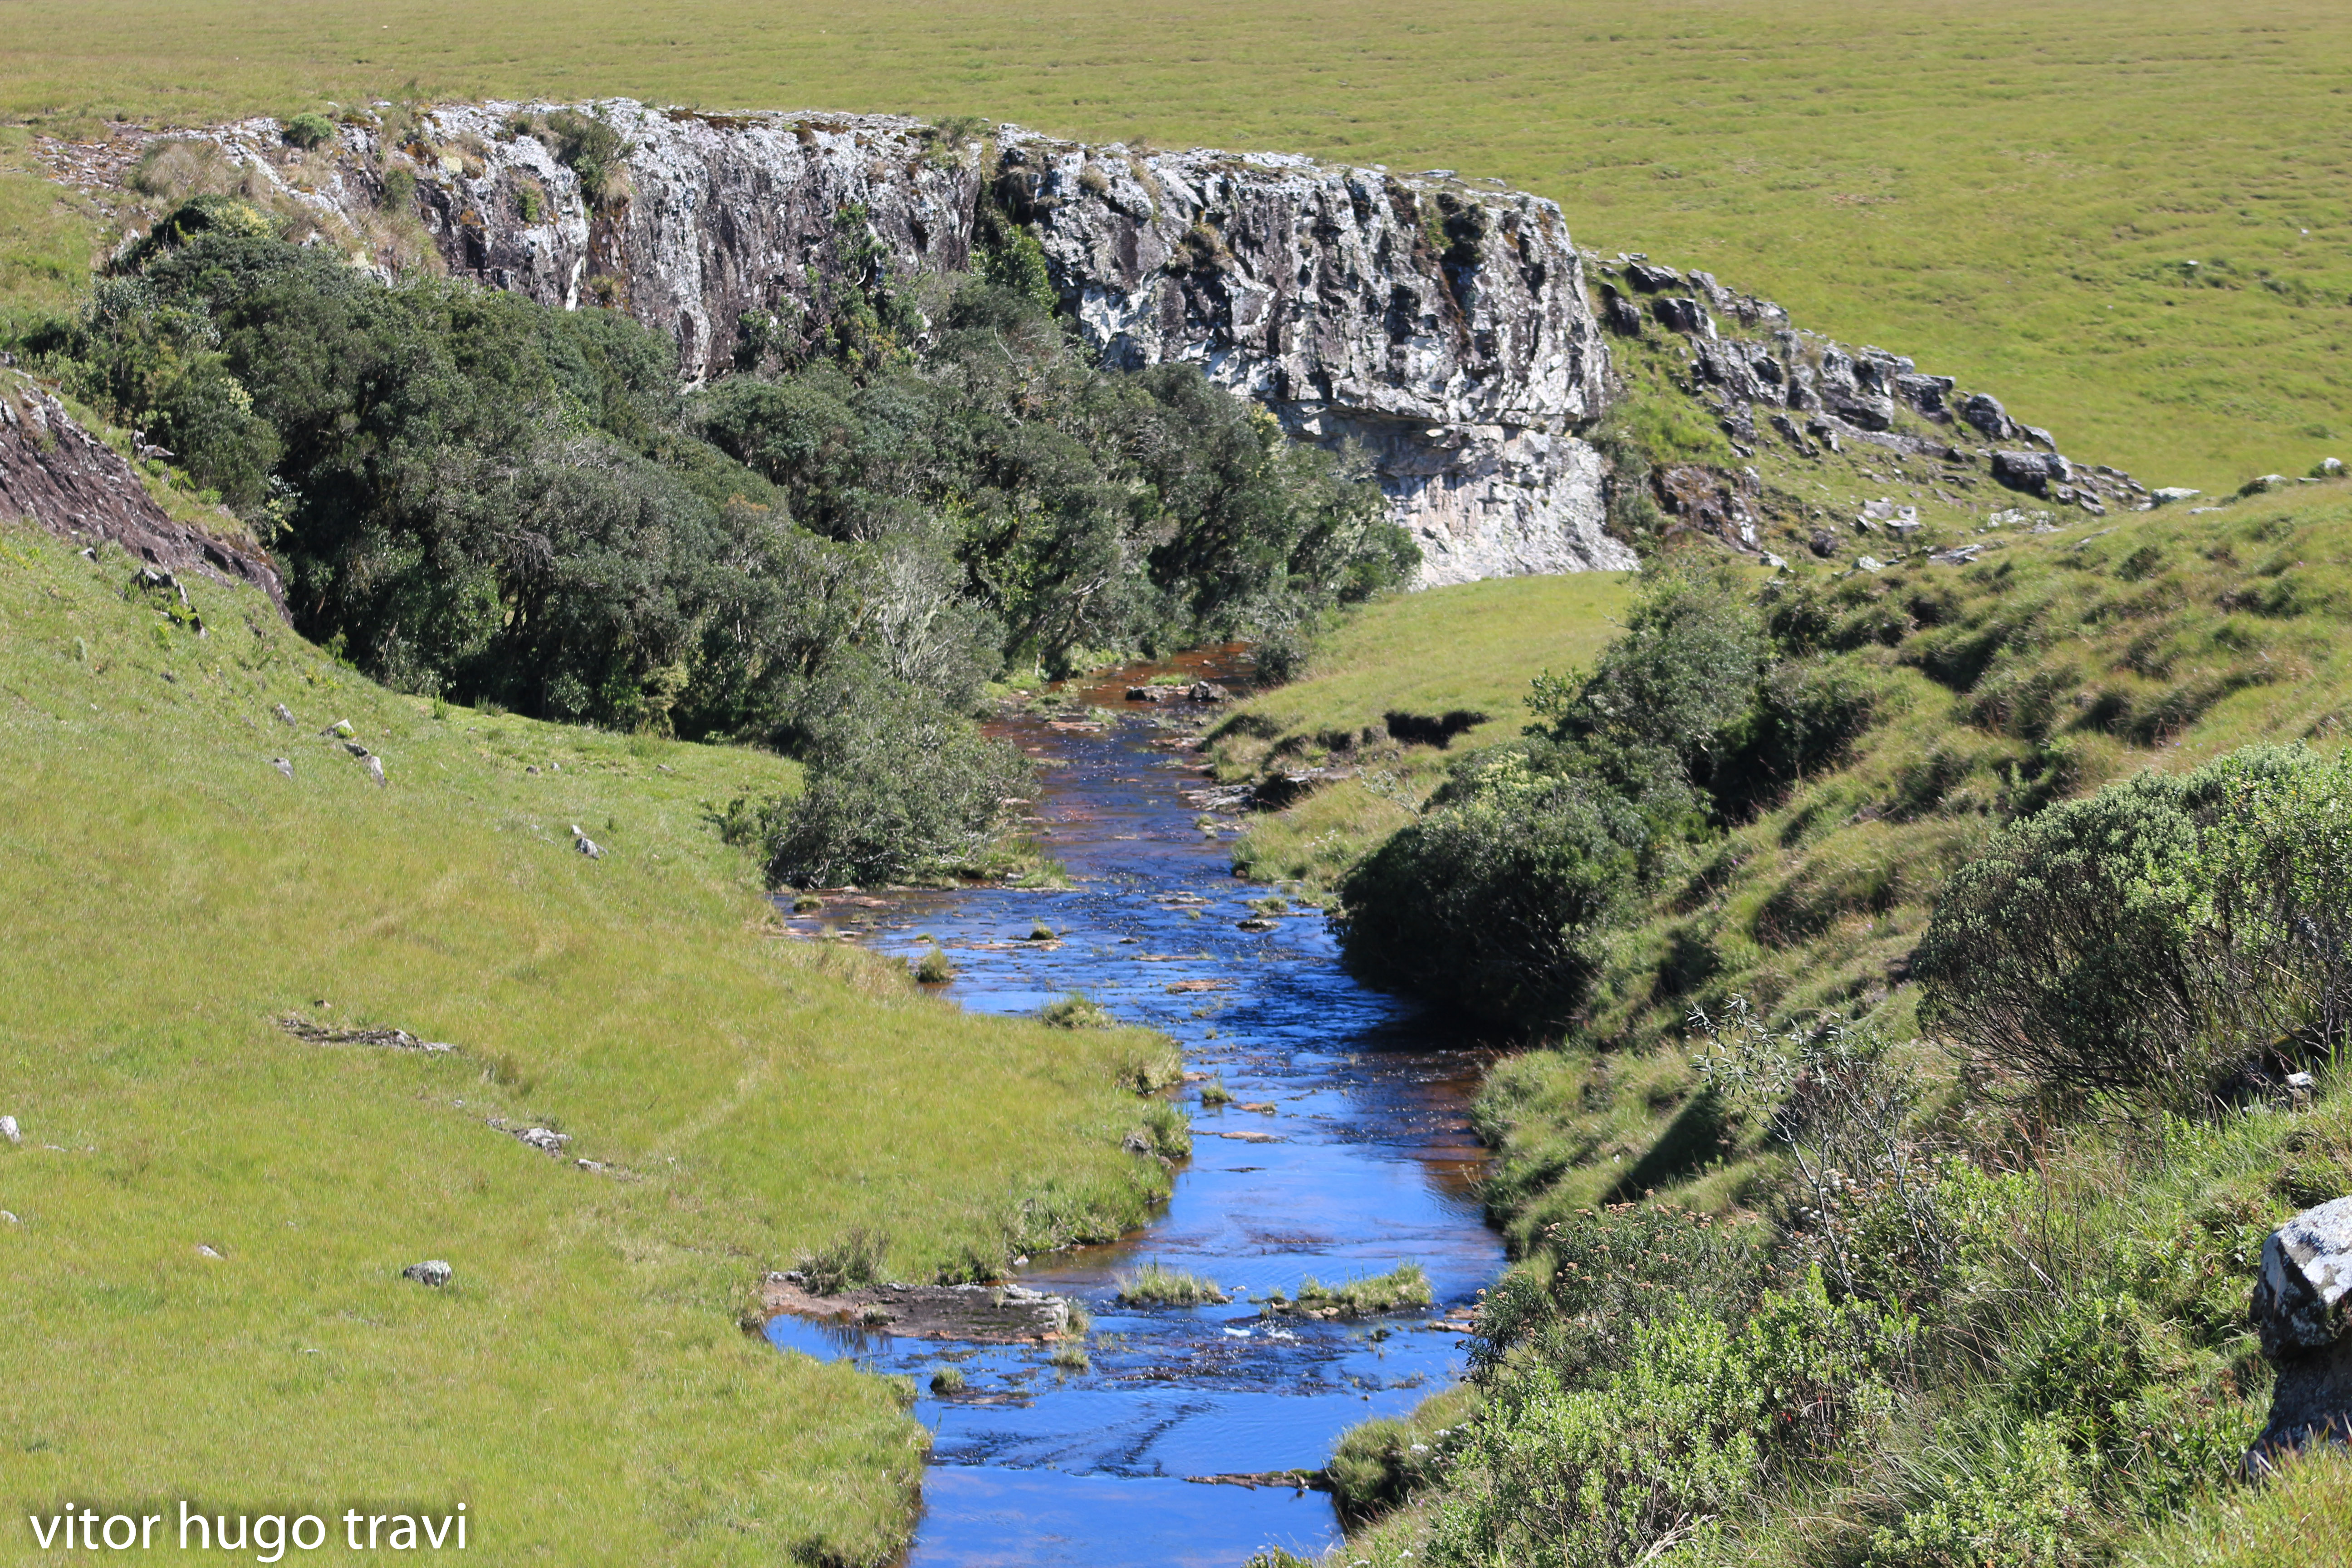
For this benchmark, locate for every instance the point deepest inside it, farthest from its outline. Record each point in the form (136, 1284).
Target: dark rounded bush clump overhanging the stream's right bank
(1504, 894)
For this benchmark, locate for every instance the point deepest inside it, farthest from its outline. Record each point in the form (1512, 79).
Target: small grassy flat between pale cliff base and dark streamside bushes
(1474, 648)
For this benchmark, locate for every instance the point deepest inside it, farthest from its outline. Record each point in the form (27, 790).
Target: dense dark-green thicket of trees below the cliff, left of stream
(493, 502)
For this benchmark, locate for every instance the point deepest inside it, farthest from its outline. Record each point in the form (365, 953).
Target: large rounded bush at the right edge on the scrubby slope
(2160, 939)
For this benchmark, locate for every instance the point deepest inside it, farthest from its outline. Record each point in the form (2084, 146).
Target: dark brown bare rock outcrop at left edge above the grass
(79, 488)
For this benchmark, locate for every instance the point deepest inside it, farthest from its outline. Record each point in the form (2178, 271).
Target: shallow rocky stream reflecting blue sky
(1365, 1160)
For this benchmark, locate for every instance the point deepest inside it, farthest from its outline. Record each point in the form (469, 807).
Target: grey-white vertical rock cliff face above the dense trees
(1441, 326)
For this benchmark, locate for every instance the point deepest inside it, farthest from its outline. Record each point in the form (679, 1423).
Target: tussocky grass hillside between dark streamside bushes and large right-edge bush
(2052, 666)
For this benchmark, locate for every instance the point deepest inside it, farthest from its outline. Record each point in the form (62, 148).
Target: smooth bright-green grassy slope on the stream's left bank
(584, 1386)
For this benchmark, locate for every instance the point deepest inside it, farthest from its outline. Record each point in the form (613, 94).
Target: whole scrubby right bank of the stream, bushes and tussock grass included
(1930, 1064)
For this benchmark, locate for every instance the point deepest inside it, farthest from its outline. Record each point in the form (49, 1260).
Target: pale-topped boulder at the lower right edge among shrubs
(2299, 1313)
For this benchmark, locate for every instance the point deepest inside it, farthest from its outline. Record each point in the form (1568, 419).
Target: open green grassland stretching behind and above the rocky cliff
(2007, 192)
